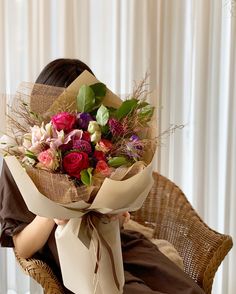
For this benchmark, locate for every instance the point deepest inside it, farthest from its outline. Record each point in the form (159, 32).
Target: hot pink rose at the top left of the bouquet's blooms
(63, 121)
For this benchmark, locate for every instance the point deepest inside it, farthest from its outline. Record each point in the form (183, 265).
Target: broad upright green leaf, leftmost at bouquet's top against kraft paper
(85, 99)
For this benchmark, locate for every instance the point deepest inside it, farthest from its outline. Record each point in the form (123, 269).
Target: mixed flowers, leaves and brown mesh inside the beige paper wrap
(83, 143)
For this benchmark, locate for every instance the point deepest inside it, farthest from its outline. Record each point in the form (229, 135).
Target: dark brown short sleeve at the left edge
(14, 214)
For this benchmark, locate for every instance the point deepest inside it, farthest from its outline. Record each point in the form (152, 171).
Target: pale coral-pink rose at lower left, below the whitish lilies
(48, 160)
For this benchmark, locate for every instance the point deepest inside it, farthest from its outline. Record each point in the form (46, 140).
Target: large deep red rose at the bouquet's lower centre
(74, 162)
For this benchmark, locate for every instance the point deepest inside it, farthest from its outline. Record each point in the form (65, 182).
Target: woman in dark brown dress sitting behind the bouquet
(147, 270)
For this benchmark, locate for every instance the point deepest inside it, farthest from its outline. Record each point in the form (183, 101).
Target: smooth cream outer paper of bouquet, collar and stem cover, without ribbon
(76, 260)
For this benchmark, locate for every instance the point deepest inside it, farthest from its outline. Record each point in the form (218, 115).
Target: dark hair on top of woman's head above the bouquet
(62, 72)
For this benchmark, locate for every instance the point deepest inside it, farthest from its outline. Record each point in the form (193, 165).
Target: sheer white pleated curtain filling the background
(189, 49)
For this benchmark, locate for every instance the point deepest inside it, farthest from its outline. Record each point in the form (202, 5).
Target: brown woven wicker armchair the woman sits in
(169, 213)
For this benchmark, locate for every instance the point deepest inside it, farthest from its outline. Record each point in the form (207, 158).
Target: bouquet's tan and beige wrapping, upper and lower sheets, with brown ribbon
(88, 245)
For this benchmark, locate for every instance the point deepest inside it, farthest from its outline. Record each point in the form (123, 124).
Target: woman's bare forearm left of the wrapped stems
(33, 237)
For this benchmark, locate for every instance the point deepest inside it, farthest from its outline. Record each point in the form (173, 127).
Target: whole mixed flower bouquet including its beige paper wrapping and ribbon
(81, 153)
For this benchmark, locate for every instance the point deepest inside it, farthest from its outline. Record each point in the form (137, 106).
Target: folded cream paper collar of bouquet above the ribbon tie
(112, 197)
